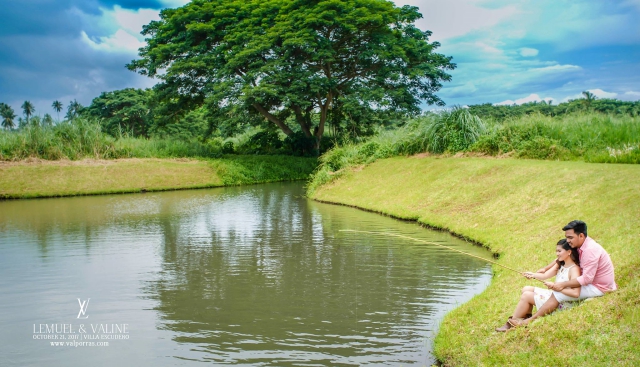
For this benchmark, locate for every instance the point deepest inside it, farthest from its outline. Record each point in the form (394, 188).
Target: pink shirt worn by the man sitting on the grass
(597, 268)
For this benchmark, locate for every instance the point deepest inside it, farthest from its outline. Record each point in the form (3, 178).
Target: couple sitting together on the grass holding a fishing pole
(583, 269)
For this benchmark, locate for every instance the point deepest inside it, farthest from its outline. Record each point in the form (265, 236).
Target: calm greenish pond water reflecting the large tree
(256, 276)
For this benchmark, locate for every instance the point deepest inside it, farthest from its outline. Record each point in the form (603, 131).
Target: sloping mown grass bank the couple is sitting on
(517, 208)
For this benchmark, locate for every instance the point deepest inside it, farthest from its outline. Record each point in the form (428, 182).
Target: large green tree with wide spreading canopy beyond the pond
(291, 60)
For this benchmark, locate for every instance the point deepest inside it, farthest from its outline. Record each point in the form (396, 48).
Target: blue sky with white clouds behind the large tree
(507, 51)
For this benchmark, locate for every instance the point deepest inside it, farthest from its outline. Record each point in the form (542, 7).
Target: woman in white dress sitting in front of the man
(567, 267)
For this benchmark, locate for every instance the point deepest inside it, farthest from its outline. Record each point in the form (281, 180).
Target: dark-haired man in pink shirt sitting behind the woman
(597, 271)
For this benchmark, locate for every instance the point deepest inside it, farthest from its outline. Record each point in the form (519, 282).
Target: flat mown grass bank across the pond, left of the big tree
(92, 177)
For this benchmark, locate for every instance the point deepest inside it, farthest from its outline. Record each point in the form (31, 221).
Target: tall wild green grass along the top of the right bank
(591, 137)
